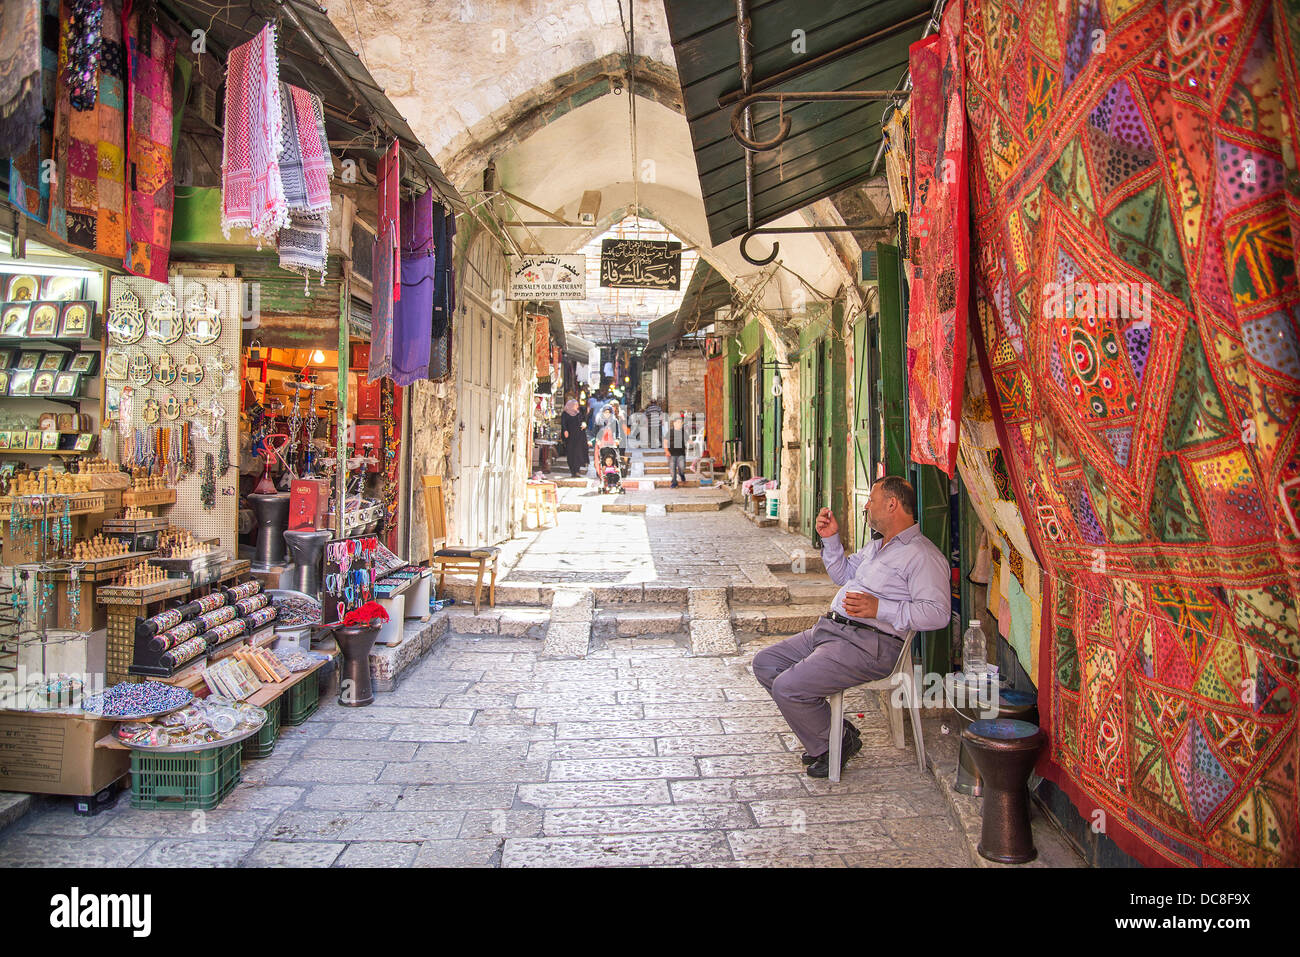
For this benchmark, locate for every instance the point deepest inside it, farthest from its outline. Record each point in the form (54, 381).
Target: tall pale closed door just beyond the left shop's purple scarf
(486, 344)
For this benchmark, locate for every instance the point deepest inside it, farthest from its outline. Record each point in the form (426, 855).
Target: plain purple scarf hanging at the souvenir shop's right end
(413, 315)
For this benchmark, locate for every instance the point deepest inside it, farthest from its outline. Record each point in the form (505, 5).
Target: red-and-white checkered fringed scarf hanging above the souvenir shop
(253, 196)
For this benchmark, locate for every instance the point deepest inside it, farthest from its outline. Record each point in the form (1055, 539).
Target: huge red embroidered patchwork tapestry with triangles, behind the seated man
(1139, 309)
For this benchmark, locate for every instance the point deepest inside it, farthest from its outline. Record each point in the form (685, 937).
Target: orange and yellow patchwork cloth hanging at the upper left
(89, 200)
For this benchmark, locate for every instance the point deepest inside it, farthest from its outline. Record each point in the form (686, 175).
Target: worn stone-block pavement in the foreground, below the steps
(489, 755)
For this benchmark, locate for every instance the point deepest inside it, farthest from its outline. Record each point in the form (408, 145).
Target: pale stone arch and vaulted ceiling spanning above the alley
(540, 89)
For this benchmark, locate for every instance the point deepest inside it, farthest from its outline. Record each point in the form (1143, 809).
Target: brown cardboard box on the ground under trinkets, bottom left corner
(54, 754)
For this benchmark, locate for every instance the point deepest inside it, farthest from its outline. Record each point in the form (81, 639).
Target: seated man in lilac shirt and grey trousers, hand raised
(895, 584)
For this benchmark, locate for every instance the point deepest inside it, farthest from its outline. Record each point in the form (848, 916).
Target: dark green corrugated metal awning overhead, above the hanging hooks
(831, 145)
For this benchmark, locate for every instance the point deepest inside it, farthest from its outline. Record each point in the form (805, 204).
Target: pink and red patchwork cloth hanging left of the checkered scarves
(149, 149)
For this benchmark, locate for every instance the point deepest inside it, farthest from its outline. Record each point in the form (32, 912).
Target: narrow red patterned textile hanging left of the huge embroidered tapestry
(941, 258)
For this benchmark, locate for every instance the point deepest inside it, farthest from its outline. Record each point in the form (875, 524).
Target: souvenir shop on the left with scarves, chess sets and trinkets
(202, 370)
